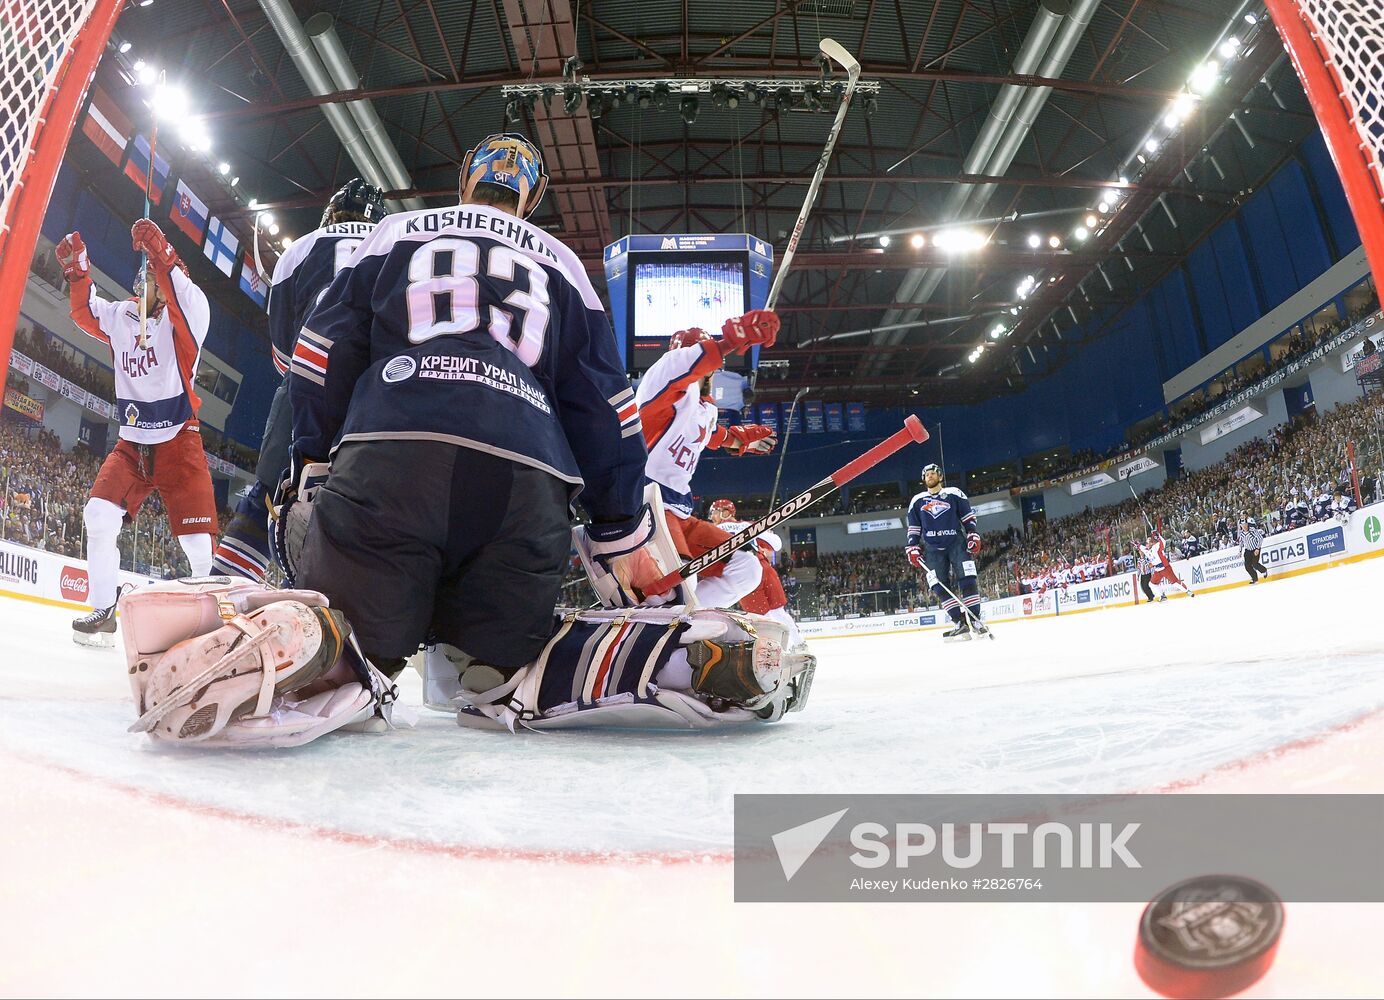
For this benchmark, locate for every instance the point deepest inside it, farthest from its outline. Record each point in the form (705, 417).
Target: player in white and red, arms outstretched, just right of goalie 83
(680, 421)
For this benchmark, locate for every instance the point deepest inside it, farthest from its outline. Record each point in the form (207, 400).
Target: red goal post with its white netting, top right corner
(1338, 49)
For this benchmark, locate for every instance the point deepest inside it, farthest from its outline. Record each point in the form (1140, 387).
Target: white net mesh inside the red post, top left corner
(35, 35)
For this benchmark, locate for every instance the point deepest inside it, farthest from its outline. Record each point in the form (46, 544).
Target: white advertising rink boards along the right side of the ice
(1317, 547)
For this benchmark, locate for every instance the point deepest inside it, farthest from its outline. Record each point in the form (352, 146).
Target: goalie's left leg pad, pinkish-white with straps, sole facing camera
(230, 663)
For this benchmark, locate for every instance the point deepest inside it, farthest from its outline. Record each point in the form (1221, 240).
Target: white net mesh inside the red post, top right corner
(1350, 35)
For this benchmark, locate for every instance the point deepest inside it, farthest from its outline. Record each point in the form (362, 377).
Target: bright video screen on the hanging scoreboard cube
(676, 295)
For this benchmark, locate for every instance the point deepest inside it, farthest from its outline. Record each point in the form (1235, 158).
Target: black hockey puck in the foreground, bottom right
(1209, 937)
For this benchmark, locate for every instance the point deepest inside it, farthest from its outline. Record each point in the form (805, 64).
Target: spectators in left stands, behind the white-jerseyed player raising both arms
(44, 490)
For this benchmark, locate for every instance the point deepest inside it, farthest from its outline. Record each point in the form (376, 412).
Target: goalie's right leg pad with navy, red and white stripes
(639, 669)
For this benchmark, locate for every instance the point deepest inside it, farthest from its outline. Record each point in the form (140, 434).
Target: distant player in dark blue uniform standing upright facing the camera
(943, 541)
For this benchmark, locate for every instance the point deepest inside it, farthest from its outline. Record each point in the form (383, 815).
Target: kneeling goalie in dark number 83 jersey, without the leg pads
(463, 378)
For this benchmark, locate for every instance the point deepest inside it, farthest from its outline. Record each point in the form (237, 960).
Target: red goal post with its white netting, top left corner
(49, 53)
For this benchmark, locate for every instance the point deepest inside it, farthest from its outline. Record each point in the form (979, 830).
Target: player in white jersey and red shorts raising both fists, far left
(161, 445)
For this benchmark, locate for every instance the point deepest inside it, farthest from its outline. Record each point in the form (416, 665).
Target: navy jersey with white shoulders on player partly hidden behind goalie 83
(301, 279)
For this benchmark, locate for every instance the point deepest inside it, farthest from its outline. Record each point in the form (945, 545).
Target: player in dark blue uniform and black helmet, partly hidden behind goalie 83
(301, 279)
